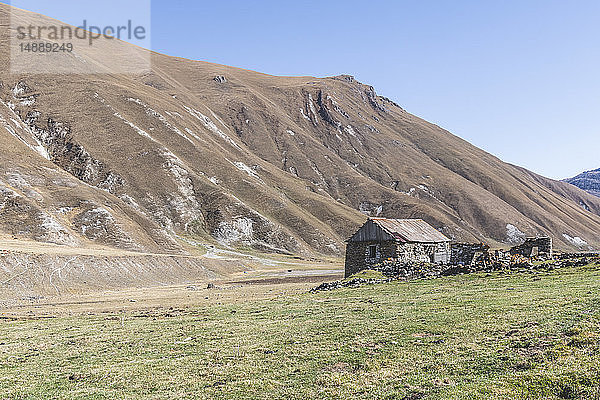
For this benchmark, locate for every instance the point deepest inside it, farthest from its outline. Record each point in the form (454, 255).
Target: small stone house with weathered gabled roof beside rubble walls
(404, 240)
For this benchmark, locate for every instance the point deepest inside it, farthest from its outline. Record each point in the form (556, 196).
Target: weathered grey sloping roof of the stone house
(410, 230)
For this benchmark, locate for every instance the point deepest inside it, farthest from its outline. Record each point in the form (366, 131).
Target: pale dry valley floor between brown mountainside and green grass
(36, 276)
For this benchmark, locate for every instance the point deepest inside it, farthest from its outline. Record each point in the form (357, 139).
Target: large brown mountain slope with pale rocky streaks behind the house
(197, 152)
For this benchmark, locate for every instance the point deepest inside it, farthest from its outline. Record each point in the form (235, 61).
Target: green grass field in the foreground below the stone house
(482, 336)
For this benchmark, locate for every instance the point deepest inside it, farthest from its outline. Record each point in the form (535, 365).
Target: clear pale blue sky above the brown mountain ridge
(518, 78)
